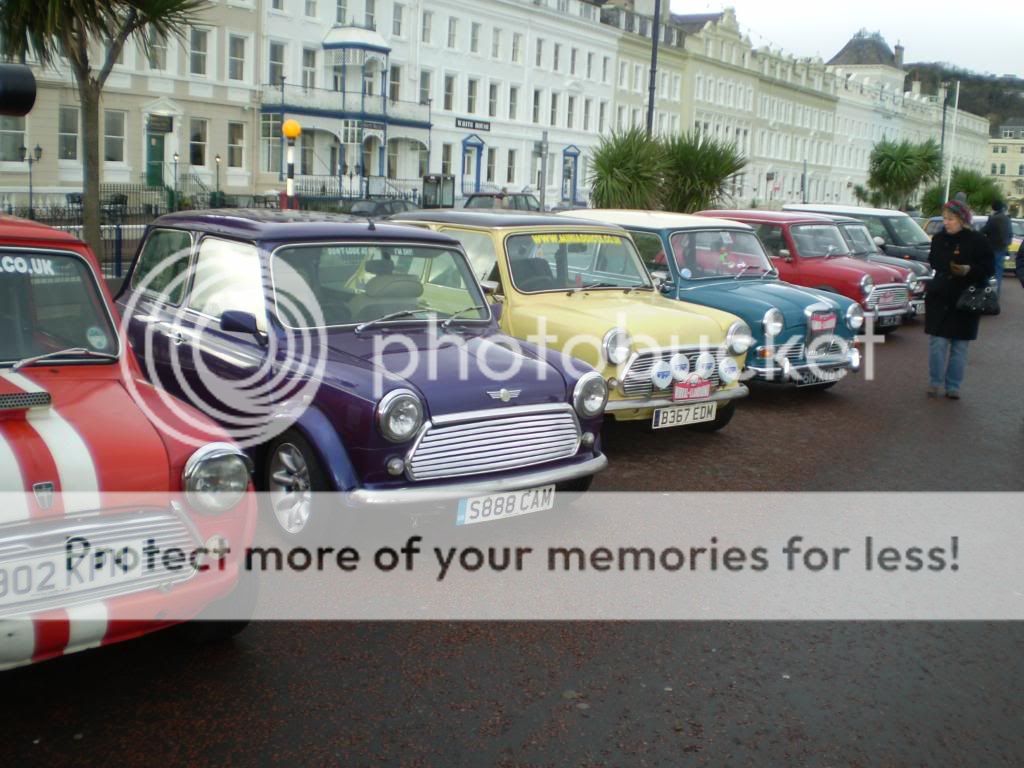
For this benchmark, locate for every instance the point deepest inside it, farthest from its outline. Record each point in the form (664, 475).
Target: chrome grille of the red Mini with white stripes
(29, 543)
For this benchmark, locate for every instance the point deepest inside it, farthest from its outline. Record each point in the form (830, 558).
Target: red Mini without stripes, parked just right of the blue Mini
(809, 250)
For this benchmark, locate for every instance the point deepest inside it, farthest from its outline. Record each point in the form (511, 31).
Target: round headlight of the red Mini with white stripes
(217, 478)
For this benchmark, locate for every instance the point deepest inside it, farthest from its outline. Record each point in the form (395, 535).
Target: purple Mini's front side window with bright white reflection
(229, 278)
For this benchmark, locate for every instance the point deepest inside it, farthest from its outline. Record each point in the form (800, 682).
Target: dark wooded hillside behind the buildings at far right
(997, 98)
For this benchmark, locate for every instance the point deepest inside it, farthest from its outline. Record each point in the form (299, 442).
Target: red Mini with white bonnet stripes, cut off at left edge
(111, 527)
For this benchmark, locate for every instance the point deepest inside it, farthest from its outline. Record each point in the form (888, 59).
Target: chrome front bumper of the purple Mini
(455, 491)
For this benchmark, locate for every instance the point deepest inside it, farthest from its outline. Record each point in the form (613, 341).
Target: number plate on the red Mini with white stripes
(70, 571)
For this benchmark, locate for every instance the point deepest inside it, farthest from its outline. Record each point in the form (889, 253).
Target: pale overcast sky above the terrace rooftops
(986, 37)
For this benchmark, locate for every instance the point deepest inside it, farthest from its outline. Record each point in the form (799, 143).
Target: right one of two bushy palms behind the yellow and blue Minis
(697, 172)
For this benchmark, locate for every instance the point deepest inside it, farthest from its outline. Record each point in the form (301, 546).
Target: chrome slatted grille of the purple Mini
(493, 443)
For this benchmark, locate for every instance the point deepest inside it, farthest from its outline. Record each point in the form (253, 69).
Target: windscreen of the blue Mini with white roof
(719, 253)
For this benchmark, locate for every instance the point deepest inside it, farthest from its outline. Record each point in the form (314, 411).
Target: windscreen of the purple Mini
(329, 285)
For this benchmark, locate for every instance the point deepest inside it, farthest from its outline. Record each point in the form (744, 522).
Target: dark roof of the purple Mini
(267, 224)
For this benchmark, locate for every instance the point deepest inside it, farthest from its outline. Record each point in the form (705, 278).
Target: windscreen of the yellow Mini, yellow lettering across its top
(571, 261)
